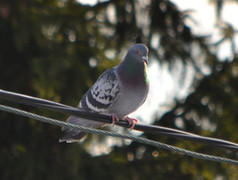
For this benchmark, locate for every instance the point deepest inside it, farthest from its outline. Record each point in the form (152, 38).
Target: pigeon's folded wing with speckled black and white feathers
(103, 93)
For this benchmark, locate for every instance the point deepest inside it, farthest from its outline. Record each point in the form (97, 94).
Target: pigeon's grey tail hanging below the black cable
(73, 135)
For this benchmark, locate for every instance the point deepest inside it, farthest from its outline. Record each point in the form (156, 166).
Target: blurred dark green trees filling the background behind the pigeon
(56, 49)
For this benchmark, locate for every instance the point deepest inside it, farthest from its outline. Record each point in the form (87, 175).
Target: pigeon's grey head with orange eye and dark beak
(139, 52)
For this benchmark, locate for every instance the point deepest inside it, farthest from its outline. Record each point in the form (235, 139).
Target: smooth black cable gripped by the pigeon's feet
(157, 130)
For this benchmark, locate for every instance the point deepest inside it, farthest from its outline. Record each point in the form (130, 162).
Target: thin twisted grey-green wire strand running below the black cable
(123, 136)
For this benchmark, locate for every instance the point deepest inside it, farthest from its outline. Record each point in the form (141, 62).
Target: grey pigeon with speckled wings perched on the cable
(118, 92)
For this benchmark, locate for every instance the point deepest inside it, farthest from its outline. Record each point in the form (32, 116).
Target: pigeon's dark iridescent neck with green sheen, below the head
(133, 72)
